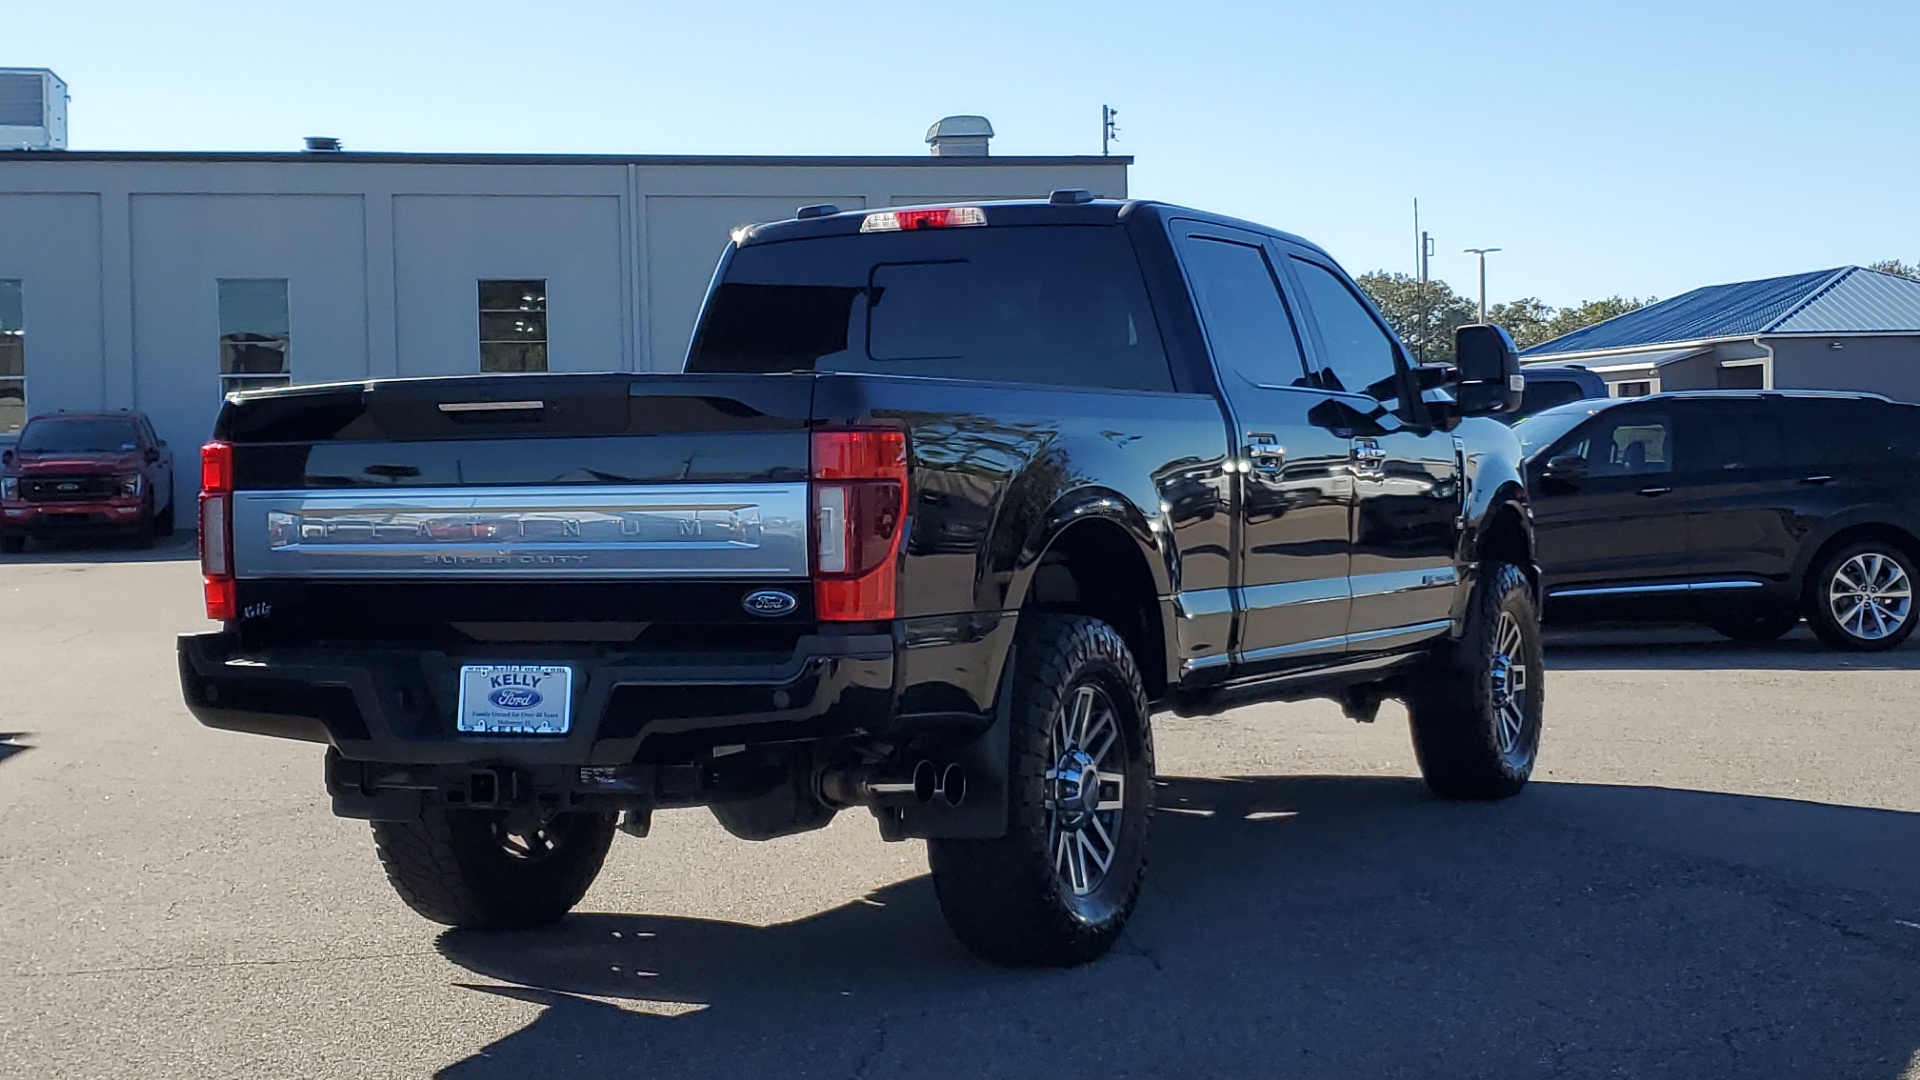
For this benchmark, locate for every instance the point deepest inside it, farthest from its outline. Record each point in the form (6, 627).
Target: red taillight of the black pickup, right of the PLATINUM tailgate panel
(859, 518)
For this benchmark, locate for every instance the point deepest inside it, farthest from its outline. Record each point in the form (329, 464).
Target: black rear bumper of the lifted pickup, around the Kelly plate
(396, 706)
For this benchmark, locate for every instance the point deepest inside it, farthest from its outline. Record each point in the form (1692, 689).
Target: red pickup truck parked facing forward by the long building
(85, 474)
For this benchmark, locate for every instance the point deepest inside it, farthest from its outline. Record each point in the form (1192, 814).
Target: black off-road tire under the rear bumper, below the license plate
(452, 868)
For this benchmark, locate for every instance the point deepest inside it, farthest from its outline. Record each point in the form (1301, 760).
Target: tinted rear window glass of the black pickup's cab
(1053, 305)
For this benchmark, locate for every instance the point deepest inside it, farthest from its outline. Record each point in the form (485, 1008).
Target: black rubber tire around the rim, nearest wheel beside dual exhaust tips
(1005, 898)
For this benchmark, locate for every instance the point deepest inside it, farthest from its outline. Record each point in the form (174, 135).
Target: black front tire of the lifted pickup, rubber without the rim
(1454, 704)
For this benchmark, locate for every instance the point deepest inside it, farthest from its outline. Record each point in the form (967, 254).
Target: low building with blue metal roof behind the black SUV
(1836, 330)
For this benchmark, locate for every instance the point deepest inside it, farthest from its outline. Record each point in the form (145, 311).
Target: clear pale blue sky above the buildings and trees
(1608, 147)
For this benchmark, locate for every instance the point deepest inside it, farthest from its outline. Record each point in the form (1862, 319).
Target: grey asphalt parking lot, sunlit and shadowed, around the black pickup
(1714, 875)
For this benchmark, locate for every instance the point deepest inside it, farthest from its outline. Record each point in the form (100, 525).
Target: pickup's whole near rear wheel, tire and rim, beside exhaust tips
(1059, 887)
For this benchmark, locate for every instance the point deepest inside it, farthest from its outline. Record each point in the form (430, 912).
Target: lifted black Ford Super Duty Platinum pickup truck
(944, 508)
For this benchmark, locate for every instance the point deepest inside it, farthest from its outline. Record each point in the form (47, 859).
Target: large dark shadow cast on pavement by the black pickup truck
(1307, 927)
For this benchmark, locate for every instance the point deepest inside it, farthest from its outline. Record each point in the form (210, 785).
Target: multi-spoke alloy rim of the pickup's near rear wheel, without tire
(1086, 791)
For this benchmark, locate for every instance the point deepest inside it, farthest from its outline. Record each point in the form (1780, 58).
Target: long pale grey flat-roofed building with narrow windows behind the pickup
(156, 282)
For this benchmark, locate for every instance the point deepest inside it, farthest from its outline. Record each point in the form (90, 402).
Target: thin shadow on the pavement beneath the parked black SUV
(1698, 649)
